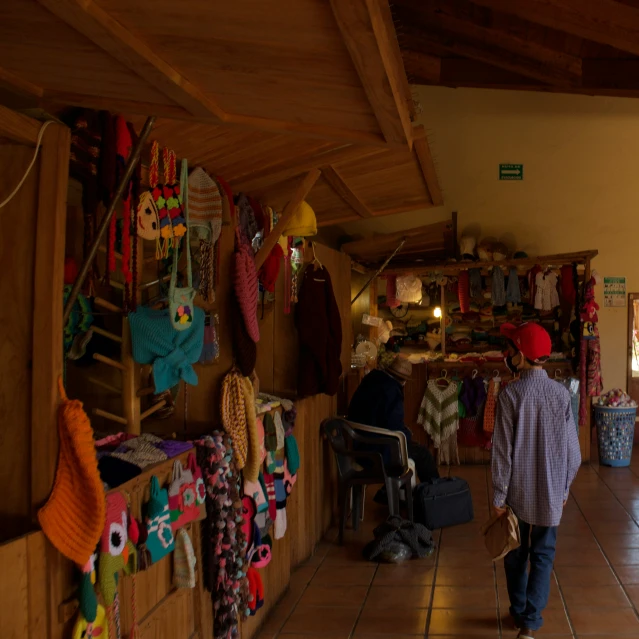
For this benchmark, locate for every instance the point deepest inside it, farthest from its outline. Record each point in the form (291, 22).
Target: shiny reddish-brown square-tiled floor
(459, 593)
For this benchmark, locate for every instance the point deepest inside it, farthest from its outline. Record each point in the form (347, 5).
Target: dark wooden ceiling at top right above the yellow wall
(570, 46)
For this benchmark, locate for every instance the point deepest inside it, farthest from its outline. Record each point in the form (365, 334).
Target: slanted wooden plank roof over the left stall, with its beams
(256, 92)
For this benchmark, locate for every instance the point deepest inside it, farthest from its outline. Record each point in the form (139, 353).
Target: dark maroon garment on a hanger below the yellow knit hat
(319, 329)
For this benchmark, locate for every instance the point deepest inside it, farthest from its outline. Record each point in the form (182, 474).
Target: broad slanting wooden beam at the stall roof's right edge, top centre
(369, 35)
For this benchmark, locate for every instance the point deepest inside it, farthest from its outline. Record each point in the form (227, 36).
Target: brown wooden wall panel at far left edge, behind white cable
(17, 249)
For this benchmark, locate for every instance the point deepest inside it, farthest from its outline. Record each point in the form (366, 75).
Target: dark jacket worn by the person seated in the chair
(379, 401)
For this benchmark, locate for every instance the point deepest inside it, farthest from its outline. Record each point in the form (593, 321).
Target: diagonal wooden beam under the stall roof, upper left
(89, 19)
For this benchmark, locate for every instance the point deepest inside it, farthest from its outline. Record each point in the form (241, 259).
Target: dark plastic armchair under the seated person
(358, 467)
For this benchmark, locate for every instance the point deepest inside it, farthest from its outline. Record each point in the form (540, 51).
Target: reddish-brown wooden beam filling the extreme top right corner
(603, 21)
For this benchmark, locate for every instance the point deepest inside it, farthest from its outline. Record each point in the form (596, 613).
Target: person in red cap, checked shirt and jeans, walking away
(536, 457)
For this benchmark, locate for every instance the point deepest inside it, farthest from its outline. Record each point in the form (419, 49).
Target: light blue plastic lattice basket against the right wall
(615, 434)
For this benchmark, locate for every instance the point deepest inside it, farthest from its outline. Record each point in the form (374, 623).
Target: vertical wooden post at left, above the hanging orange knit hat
(48, 307)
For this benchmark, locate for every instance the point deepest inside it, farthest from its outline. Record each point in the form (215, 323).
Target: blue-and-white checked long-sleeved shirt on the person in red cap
(536, 453)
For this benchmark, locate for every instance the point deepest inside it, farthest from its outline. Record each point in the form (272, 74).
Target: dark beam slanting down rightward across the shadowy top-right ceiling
(549, 64)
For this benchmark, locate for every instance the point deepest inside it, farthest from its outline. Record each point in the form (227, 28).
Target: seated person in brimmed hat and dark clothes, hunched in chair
(379, 401)
